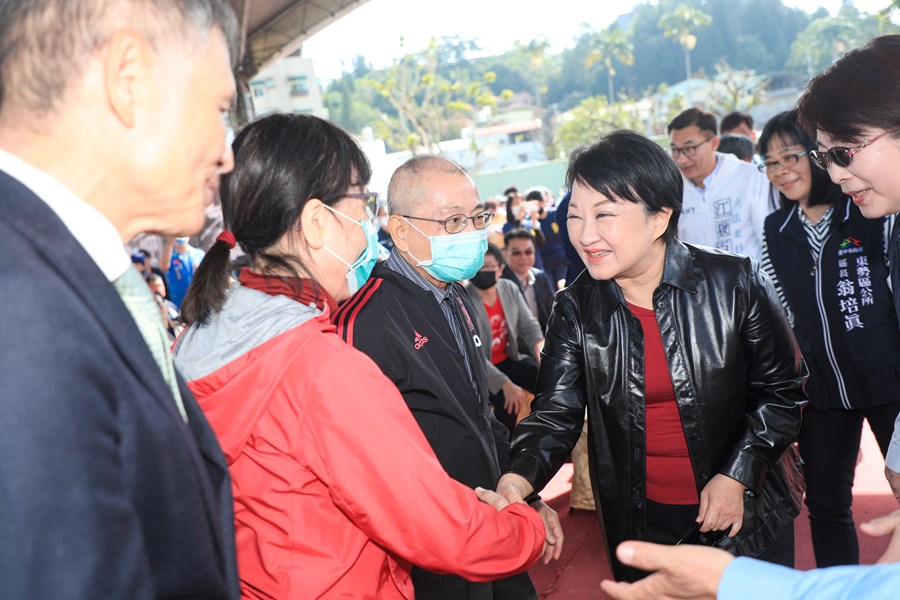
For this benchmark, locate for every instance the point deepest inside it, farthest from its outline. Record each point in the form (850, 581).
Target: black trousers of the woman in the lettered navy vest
(829, 446)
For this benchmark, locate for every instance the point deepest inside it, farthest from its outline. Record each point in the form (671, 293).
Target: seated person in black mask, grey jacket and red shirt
(504, 318)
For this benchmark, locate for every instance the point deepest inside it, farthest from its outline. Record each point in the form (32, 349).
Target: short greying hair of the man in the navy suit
(46, 44)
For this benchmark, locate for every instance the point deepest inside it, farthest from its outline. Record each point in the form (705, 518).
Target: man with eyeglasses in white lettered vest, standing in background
(725, 199)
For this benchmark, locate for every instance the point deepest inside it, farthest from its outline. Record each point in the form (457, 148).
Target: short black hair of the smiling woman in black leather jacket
(626, 165)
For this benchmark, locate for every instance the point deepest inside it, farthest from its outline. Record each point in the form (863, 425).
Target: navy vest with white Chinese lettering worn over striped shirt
(844, 317)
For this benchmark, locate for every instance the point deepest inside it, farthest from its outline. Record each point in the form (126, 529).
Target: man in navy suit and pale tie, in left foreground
(112, 484)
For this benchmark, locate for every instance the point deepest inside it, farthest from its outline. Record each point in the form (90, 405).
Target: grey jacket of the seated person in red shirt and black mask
(521, 323)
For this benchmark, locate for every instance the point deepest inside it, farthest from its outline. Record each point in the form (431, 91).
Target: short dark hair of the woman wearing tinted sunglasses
(861, 90)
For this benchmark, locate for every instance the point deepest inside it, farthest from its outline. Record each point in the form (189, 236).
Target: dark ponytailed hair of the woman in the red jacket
(280, 162)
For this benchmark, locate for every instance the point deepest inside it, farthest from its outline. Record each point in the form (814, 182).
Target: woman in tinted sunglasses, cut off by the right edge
(854, 109)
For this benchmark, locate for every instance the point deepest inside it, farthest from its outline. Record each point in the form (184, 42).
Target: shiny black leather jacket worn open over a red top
(738, 379)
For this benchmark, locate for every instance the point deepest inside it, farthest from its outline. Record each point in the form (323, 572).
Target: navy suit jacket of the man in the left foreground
(105, 491)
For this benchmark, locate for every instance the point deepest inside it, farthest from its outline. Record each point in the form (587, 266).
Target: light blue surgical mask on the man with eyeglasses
(456, 256)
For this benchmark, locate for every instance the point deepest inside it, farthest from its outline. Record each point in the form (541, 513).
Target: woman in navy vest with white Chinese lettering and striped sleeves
(827, 262)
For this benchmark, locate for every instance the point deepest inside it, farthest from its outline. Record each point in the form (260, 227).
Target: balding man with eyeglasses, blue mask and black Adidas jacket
(416, 322)
